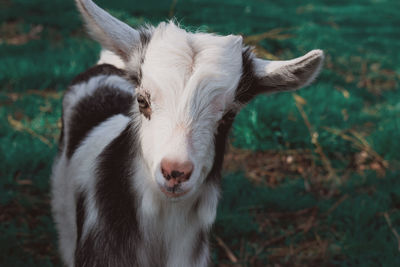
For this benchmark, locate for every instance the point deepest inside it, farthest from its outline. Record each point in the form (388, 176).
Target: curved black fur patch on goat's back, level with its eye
(91, 110)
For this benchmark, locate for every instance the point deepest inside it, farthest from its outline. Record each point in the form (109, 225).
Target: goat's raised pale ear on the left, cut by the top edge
(111, 33)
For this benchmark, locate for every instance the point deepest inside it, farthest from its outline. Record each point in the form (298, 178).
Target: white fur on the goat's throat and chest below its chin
(173, 222)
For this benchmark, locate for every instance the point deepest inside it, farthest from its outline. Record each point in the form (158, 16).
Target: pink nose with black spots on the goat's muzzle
(176, 172)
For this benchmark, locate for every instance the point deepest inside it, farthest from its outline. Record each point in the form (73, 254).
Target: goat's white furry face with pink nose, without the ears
(187, 84)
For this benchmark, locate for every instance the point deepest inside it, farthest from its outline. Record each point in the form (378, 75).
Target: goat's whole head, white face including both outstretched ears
(186, 83)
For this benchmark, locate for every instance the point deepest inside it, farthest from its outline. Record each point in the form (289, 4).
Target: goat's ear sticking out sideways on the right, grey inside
(280, 76)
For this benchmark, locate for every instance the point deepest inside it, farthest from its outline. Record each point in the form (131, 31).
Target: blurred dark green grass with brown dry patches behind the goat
(312, 177)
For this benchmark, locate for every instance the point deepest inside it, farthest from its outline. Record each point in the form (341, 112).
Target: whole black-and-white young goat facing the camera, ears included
(137, 178)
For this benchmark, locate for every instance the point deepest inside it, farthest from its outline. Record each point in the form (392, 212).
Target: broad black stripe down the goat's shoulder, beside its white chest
(114, 241)
